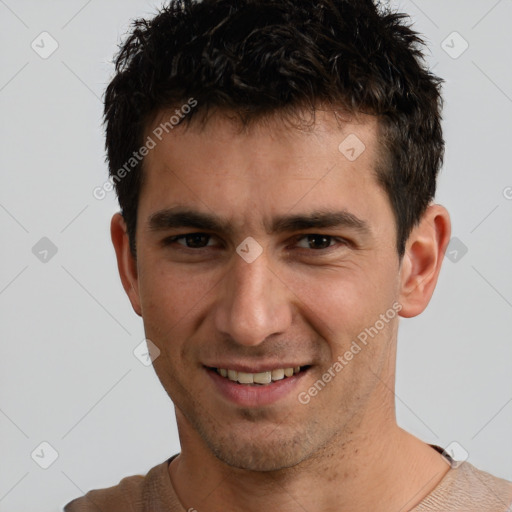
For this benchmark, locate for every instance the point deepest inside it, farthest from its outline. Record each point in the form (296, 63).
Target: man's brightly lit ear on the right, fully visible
(421, 264)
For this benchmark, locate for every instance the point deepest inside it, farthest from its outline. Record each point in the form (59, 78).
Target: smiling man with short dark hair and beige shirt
(276, 163)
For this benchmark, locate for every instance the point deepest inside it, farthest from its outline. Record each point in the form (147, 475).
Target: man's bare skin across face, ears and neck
(294, 303)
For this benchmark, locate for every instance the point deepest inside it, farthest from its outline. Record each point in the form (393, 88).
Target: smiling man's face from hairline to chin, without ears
(263, 250)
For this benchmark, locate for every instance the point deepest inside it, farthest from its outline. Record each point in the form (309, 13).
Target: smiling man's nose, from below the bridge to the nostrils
(253, 304)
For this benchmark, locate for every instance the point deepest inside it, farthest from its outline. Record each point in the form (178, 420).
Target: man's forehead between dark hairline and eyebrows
(264, 169)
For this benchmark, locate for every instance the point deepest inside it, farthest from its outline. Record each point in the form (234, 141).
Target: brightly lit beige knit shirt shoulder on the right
(467, 488)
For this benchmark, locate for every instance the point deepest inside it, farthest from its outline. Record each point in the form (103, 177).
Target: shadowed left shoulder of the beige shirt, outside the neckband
(131, 494)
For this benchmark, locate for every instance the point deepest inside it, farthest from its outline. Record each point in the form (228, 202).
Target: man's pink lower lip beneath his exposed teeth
(258, 395)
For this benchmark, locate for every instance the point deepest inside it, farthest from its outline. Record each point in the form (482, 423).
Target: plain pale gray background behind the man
(68, 373)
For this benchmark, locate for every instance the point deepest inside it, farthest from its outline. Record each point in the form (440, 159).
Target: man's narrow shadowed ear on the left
(126, 263)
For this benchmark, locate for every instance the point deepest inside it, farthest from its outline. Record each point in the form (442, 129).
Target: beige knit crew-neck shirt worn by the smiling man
(464, 488)
